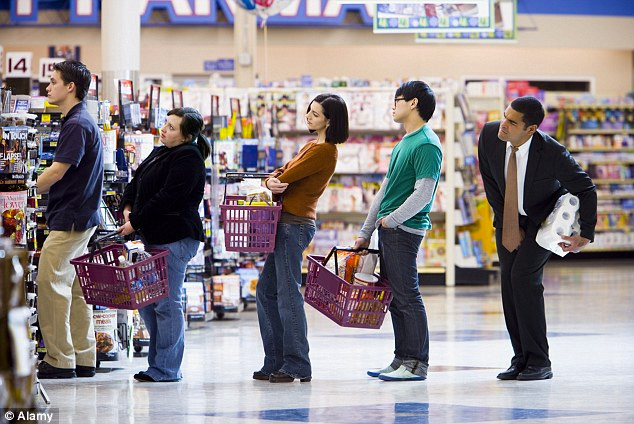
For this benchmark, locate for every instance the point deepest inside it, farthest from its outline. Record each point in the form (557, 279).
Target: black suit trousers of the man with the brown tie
(523, 297)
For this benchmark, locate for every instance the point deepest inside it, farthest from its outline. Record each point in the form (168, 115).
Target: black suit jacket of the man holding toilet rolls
(551, 172)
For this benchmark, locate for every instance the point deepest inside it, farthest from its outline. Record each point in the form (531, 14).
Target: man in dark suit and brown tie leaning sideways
(524, 172)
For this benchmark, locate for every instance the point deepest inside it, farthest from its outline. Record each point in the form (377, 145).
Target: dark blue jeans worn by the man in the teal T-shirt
(398, 263)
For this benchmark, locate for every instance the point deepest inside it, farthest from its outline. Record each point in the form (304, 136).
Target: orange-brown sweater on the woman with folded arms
(307, 175)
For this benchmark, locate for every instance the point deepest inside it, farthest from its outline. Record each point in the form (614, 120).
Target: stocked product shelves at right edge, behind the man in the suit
(600, 135)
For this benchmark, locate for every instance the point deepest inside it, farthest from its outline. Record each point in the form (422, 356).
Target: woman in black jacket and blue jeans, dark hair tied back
(161, 203)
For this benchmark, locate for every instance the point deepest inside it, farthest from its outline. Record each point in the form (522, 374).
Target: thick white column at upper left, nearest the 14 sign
(120, 45)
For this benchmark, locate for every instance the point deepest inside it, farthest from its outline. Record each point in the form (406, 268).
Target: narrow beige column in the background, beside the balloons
(244, 45)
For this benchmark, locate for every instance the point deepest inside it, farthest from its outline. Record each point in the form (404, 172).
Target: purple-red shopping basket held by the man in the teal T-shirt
(349, 305)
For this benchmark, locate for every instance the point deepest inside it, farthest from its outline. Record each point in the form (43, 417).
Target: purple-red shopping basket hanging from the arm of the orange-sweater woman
(248, 228)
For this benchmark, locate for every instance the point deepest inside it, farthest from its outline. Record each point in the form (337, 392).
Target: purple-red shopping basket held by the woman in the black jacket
(104, 283)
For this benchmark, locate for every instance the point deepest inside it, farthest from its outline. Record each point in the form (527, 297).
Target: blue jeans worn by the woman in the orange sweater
(281, 305)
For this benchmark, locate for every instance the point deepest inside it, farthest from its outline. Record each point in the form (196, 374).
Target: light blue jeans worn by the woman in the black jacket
(164, 319)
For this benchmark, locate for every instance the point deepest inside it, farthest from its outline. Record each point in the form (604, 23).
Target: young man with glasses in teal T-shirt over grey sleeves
(400, 211)
